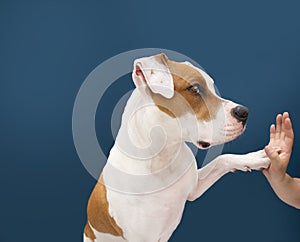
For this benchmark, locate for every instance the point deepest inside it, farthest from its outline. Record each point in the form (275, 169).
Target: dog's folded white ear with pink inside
(154, 72)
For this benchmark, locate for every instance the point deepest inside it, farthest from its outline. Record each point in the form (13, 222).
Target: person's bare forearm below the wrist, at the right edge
(287, 189)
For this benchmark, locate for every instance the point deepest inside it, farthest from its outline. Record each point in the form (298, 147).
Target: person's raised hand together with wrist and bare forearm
(279, 151)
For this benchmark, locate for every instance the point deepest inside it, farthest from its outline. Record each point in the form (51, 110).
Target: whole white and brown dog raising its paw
(151, 172)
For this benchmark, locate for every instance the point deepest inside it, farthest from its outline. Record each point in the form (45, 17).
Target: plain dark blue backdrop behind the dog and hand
(47, 48)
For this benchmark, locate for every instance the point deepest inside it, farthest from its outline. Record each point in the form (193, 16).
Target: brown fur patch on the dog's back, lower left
(98, 214)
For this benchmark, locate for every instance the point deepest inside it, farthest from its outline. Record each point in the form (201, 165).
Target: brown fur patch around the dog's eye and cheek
(204, 106)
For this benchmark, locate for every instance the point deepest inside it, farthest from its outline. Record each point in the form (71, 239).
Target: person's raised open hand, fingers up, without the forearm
(279, 148)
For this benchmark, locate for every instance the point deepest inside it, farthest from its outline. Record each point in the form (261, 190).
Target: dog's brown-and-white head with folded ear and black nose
(184, 92)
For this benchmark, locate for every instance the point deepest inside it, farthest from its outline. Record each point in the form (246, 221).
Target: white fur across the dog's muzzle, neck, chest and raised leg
(153, 215)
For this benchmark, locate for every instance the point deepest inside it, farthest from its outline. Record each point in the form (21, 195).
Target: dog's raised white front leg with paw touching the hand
(223, 164)
